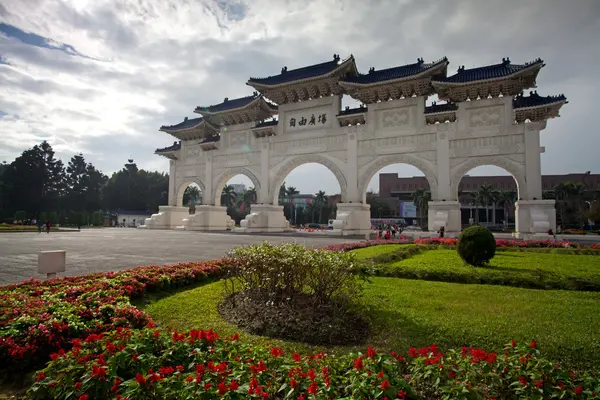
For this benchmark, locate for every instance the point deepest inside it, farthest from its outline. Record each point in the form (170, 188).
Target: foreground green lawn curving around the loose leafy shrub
(417, 313)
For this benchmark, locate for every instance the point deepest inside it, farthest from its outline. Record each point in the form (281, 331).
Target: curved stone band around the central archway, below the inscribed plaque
(288, 166)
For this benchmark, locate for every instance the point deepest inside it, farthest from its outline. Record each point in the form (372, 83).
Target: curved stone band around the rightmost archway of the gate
(515, 169)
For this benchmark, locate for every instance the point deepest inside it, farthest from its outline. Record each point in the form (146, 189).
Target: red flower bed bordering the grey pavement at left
(40, 317)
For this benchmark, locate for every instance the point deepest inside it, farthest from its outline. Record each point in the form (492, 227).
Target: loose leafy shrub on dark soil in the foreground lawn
(290, 292)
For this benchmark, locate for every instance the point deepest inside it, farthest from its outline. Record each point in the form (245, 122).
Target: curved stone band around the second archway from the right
(374, 166)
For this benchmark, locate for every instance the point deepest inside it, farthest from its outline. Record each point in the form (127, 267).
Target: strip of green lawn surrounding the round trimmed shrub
(522, 269)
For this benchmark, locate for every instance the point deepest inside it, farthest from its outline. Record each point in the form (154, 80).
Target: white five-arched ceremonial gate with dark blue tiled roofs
(486, 120)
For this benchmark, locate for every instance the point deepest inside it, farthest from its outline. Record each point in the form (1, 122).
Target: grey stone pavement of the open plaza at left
(113, 249)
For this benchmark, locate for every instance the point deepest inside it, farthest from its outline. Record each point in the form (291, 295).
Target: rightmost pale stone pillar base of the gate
(534, 218)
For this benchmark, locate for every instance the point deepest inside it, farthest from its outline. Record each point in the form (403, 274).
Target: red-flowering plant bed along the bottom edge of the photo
(153, 363)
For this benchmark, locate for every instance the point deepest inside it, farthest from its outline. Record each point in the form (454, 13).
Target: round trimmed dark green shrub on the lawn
(476, 245)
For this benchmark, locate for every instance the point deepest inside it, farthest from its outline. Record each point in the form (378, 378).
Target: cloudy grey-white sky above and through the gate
(101, 76)
